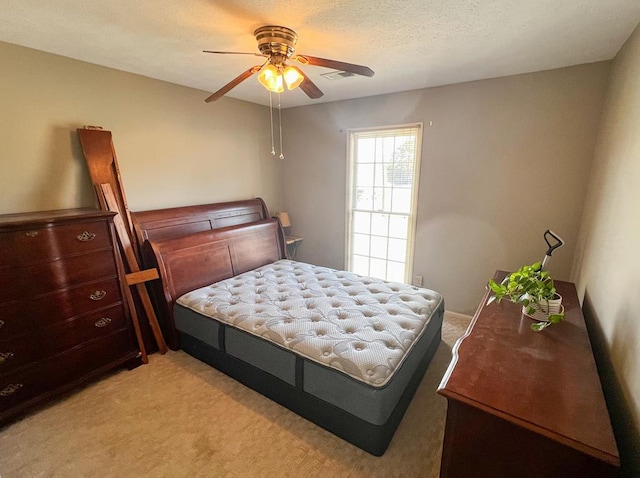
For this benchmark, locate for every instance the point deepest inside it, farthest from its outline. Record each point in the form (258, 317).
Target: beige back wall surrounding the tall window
(504, 160)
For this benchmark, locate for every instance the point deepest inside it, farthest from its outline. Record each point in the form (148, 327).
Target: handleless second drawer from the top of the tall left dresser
(37, 279)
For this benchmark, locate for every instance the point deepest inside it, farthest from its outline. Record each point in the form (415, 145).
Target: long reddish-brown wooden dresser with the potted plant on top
(524, 403)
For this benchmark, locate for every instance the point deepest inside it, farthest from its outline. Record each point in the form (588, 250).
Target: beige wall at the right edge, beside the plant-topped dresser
(607, 268)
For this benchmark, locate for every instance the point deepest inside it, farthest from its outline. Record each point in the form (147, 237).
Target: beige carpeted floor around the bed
(178, 417)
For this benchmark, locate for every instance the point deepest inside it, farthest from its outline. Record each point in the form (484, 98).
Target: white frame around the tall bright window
(411, 233)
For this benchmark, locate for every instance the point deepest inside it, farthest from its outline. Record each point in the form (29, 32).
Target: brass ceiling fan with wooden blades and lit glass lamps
(277, 45)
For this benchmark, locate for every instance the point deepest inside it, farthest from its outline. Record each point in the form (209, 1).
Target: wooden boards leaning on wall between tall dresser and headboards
(97, 146)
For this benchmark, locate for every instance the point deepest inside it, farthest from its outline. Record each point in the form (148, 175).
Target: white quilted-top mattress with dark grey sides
(349, 340)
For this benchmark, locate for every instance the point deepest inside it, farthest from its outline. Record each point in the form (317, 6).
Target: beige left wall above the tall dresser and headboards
(173, 149)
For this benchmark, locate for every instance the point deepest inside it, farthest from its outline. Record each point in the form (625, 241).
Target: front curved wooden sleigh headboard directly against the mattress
(190, 262)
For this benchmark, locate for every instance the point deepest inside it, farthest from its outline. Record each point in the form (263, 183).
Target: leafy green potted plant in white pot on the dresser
(533, 288)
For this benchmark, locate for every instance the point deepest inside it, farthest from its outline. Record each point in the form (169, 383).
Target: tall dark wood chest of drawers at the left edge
(62, 316)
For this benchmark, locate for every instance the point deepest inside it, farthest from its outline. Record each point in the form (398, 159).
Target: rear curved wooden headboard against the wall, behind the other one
(161, 224)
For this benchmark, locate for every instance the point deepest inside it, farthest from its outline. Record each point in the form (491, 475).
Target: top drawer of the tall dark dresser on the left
(25, 246)
